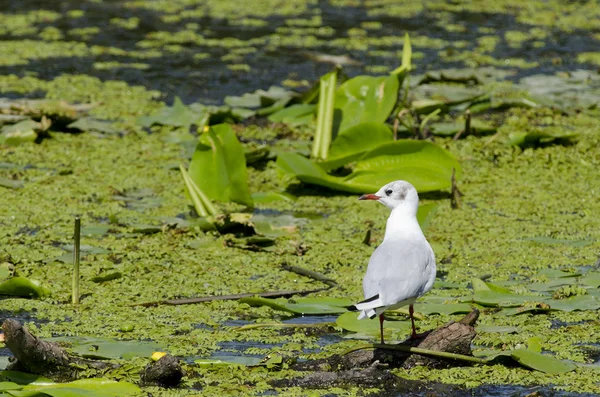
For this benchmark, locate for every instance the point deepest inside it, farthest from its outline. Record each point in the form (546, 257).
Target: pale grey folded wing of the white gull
(399, 270)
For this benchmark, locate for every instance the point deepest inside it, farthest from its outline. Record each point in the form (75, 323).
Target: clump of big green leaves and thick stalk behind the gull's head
(351, 129)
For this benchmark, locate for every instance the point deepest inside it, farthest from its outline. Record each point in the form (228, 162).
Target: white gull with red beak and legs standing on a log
(402, 268)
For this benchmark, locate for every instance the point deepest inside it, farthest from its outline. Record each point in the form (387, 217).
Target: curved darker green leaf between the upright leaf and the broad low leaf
(352, 143)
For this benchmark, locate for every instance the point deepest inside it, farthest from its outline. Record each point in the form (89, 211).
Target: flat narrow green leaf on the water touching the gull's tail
(302, 306)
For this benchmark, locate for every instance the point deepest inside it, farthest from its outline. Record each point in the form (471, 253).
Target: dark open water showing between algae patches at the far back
(179, 73)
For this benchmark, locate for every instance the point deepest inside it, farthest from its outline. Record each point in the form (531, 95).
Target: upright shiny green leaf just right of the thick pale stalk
(366, 98)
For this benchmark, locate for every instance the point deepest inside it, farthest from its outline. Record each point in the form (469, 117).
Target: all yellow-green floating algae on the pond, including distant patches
(511, 195)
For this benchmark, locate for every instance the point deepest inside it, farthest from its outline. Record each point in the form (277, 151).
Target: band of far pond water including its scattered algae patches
(204, 51)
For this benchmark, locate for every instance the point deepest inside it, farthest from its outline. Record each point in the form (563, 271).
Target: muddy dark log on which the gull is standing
(358, 366)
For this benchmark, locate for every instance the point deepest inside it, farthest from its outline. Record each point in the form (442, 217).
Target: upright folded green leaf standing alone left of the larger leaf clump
(218, 166)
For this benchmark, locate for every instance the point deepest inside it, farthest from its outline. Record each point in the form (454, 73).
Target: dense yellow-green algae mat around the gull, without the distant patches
(511, 195)
